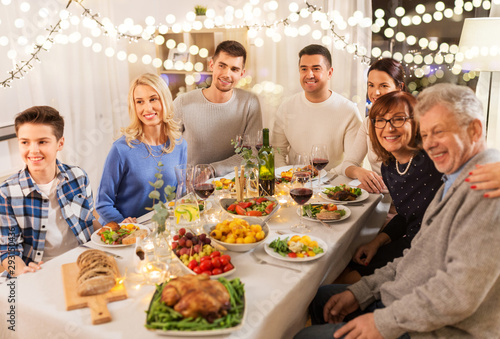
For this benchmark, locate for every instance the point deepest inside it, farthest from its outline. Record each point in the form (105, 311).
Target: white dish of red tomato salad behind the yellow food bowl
(259, 207)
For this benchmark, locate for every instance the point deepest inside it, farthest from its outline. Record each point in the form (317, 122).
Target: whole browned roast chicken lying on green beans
(196, 296)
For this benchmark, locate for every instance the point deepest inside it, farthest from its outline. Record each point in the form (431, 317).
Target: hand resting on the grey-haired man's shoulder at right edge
(486, 177)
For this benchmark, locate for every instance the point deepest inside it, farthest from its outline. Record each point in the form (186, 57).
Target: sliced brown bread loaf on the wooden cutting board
(98, 273)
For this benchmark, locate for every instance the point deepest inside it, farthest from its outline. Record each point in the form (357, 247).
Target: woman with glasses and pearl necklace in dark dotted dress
(410, 177)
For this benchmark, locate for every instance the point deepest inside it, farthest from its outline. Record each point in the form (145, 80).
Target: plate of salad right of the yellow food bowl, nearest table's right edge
(296, 248)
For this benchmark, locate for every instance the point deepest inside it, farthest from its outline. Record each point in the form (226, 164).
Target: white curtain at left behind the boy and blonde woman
(87, 88)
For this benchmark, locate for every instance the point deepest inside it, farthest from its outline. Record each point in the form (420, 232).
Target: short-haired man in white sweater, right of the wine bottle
(315, 116)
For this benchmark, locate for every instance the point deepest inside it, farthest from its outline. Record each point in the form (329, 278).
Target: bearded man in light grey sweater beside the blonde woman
(212, 117)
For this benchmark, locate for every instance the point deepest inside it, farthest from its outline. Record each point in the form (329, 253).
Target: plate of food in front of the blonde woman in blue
(119, 235)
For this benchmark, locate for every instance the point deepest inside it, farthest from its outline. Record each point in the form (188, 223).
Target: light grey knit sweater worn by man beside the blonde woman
(209, 127)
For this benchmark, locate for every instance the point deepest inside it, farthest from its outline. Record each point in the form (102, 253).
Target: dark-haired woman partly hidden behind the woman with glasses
(384, 76)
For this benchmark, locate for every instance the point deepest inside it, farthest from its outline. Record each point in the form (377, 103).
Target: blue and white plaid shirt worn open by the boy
(24, 212)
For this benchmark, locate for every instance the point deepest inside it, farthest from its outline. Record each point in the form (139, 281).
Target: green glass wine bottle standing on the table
(266, 166)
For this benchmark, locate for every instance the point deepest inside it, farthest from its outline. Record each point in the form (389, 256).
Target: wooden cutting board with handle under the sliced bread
(99, 312)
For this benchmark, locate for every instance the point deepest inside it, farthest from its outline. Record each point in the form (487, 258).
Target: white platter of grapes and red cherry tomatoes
(199, 256)
